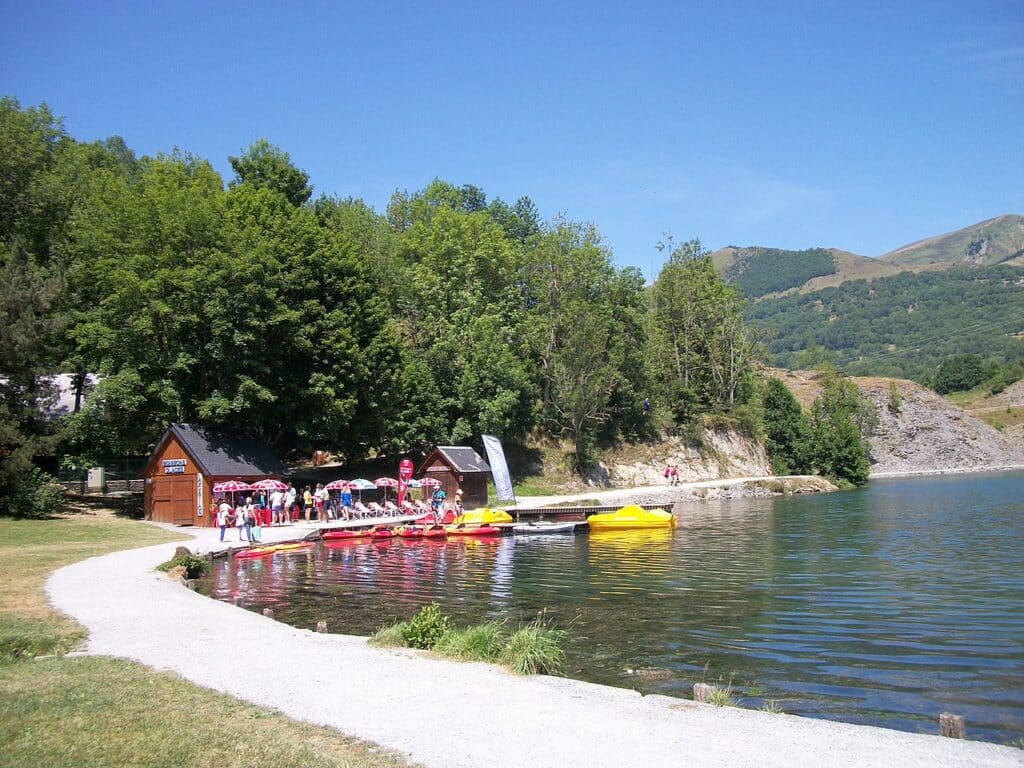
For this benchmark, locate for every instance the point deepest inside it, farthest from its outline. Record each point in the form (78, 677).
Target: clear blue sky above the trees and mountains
(862, 126)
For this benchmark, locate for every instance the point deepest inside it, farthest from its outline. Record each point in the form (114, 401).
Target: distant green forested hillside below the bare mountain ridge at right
(904, 326)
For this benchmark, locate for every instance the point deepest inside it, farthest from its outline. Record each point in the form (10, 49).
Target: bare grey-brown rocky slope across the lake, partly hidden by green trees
(927, 434)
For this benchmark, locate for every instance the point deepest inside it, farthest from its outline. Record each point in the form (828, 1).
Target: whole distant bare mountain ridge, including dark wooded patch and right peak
(773, 272)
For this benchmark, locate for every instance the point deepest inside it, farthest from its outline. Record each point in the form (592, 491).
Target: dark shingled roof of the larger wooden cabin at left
(221, 452)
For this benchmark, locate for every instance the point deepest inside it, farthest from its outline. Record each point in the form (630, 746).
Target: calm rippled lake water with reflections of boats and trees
(886, 606)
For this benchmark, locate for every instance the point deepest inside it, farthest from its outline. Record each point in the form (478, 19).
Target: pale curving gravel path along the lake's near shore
(480, 715)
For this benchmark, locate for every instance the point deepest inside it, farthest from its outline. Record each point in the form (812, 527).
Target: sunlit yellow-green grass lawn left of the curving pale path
(107, 712)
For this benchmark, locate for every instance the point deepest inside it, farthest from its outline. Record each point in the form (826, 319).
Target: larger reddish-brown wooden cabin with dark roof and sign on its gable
(190, 458)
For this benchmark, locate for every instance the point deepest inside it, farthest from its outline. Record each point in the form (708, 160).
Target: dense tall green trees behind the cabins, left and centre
(319, 322)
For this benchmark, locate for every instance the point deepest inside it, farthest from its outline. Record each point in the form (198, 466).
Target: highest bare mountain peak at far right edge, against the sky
(986, 244)
